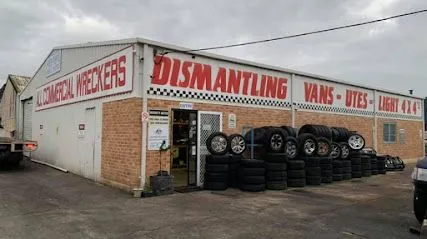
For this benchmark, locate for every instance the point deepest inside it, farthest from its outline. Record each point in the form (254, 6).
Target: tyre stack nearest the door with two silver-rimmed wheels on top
(222, 163)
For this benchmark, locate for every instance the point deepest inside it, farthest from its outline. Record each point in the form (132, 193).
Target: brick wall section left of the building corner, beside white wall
(121, 143)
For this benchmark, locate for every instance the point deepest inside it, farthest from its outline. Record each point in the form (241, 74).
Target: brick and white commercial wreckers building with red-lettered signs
(102, 110)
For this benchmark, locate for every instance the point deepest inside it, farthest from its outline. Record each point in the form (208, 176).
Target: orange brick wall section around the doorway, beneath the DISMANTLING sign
(245, 116)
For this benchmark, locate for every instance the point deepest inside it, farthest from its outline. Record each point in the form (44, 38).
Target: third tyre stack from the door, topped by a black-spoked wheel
(280, 145)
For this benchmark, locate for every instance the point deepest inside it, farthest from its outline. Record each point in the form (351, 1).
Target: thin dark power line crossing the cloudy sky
(302, 34)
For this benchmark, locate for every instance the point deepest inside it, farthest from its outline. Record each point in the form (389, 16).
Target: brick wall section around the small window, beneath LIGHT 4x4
(412, 148)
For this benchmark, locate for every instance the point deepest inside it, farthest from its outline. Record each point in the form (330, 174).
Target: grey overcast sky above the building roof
(390, 55)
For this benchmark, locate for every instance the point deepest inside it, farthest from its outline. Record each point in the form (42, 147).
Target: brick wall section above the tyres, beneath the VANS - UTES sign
(363, 125)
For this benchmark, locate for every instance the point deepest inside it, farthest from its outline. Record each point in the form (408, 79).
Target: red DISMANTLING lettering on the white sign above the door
(187, 74)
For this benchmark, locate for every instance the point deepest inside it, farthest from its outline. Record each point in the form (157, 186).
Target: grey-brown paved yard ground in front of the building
(39, 202)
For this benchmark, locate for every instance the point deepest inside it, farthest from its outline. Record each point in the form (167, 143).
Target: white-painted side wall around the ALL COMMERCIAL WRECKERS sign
(58, 141)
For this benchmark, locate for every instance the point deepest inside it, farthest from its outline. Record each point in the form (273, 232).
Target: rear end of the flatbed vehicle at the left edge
(12, 151)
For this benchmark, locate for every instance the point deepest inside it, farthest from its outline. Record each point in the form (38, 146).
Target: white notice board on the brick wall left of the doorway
(158, 129)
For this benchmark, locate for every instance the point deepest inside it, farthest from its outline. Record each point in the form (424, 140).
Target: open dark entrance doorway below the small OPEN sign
(184, 148)
